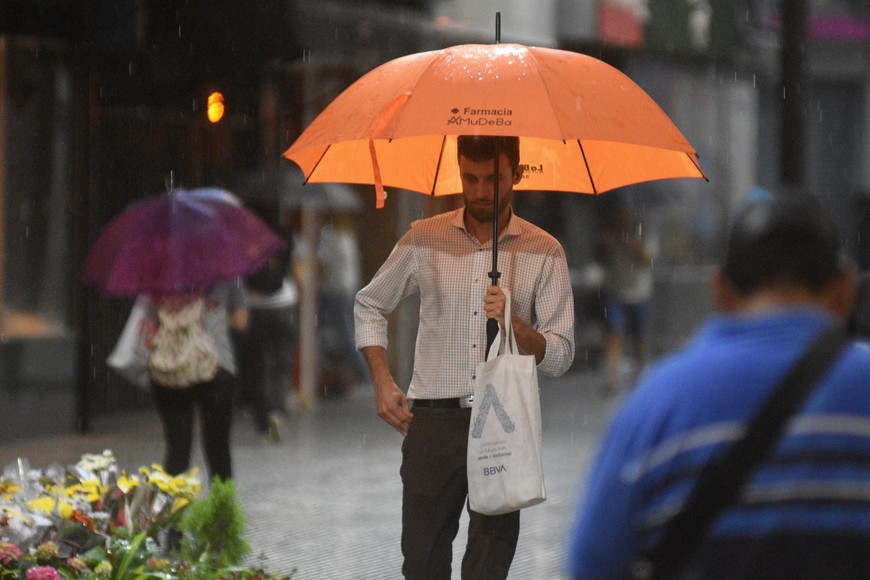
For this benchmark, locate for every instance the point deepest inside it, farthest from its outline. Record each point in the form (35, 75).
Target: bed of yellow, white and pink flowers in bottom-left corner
(94, 520)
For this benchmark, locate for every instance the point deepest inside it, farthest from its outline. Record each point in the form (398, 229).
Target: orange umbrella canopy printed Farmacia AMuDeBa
(584, 126)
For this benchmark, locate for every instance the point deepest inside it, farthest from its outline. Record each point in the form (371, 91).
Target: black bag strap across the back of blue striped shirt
(720, 482)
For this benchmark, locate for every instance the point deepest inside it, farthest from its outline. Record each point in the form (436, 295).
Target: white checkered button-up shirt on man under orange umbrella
(448, 267)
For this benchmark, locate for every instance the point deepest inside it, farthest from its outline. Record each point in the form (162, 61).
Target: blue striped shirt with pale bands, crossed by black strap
(813, 493)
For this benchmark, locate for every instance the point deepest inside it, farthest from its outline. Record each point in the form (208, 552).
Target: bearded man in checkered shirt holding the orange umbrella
(444, 259)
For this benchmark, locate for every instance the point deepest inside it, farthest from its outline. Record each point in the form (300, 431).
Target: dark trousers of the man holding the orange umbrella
(435, 491)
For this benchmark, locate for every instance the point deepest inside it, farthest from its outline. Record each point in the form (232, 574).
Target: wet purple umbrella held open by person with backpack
(180, 242)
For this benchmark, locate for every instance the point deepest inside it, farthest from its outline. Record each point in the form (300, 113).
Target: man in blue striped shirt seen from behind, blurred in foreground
(804, 511)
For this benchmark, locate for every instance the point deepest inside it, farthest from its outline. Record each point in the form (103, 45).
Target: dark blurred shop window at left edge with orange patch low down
(39, 126)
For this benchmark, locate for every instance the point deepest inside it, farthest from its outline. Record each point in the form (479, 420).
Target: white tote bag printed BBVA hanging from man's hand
(505, 472)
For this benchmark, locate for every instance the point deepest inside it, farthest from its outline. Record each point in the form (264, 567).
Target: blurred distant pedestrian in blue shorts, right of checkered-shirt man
(627, 257)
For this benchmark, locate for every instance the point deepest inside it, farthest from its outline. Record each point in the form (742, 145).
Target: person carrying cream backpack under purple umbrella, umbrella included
(182, 254)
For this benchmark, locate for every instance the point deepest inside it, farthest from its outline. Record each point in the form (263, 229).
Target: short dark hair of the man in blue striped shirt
(782, 239)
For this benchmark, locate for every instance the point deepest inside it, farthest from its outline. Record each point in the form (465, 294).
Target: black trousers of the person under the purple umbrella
(176, 409)
